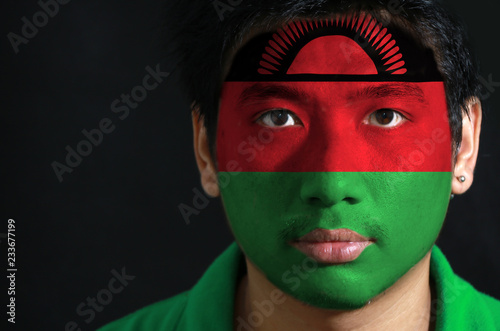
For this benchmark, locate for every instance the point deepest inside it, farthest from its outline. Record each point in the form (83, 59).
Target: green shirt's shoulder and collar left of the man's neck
(207, 306)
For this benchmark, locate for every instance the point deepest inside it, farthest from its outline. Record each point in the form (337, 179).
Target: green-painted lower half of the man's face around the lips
(404, 211)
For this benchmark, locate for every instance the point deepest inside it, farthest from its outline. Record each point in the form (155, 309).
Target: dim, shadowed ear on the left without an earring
(203, 156)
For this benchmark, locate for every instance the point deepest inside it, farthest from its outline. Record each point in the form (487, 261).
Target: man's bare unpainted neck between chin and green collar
(406, 305)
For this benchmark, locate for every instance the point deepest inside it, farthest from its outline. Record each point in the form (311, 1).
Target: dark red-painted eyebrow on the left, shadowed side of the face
(261, 91)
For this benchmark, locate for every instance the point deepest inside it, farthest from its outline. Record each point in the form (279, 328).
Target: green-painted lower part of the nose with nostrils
(326, 189)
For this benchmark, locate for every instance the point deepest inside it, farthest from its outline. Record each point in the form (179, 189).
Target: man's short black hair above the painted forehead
(200, 35)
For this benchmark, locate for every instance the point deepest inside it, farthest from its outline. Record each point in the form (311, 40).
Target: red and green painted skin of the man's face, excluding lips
(402, 212)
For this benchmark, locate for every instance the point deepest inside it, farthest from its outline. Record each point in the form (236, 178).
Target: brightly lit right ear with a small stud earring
(469, 148)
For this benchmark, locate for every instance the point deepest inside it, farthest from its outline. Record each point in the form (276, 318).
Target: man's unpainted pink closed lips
(332, 246)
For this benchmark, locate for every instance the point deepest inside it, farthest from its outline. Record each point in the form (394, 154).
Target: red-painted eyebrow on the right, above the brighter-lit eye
(390, 90)
